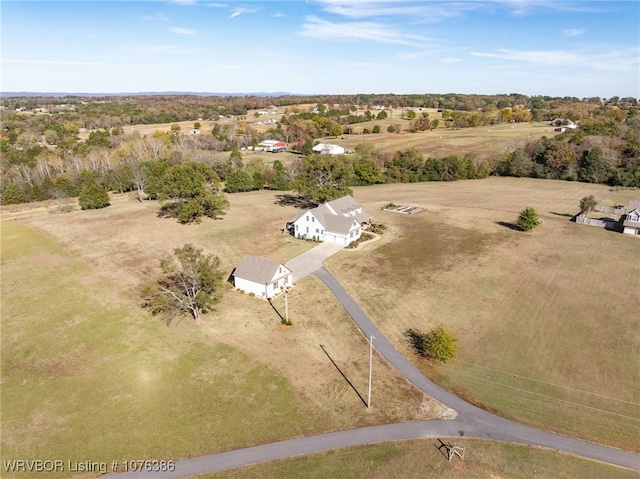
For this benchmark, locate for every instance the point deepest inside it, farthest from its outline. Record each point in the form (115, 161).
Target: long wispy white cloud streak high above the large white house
(318, 28)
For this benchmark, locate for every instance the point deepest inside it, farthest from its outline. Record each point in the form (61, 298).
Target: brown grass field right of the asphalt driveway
(546, 320)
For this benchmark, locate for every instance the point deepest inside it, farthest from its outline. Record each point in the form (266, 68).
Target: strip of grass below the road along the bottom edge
(421, 458)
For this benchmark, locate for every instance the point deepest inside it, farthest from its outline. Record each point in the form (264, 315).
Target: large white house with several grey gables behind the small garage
(338, 222)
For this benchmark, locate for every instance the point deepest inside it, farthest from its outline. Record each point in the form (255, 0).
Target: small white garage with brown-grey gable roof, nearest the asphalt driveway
(261, 276)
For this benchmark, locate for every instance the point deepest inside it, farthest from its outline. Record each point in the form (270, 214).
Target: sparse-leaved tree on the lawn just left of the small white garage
(191, 283)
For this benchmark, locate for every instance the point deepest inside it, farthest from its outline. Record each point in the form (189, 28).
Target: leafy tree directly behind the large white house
(323, 178)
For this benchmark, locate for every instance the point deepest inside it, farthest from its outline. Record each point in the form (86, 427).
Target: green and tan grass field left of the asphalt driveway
(87, 375)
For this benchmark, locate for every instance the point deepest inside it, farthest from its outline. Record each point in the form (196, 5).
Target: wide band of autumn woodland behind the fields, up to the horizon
(43, 155)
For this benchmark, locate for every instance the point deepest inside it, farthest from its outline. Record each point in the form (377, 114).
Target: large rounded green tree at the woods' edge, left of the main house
(193, 191)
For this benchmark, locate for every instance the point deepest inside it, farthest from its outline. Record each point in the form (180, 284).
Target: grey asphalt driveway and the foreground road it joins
(471, 421)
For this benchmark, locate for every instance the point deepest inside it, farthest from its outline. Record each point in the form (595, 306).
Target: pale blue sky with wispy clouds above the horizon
(557, 48)
